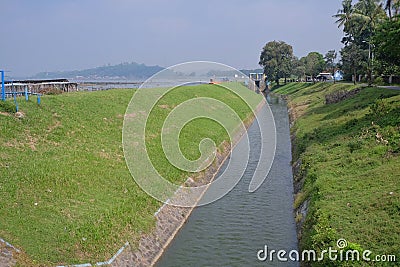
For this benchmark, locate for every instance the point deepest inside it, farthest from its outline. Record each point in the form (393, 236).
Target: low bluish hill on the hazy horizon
(121, 71)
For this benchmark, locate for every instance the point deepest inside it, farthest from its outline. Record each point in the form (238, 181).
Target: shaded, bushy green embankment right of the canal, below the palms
(350, 165)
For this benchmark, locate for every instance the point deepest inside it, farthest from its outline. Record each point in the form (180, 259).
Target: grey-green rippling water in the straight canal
(231, 231)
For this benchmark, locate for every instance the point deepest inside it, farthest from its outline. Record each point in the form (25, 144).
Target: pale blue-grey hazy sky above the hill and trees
(52, 35)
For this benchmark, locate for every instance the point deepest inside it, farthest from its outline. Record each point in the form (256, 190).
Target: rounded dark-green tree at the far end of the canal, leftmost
(277, 60)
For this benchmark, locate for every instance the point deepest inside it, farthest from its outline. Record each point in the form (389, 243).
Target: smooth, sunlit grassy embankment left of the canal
(66, 195)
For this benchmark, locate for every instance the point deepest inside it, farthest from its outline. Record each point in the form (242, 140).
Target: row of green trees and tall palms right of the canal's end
(371, 46)
